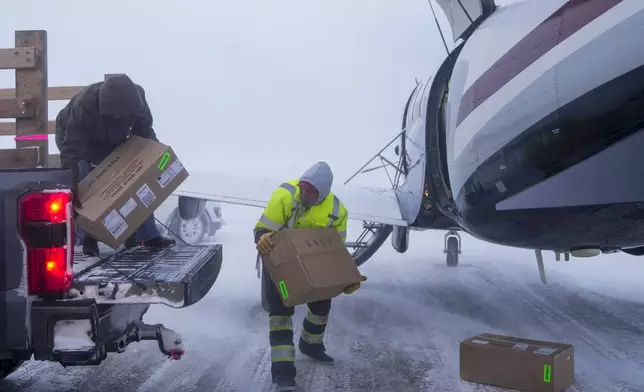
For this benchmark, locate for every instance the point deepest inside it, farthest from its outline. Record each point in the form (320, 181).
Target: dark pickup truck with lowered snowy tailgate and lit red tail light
(57, 306)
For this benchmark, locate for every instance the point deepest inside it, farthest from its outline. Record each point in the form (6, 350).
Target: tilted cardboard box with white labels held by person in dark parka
(126, 188)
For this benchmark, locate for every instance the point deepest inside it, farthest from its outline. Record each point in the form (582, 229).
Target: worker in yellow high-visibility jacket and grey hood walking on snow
(307, 202)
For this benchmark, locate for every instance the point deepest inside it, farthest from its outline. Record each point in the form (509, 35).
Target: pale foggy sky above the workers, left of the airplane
(247, 86)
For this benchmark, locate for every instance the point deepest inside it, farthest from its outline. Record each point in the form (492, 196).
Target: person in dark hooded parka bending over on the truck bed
(94, 122)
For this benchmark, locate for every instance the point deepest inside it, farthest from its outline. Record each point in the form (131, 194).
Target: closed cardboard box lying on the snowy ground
(516, 363)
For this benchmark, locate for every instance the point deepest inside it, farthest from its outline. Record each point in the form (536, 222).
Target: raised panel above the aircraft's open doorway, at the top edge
(462, 14)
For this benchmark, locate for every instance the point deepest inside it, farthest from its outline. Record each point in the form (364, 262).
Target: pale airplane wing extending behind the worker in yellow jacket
(366, 204)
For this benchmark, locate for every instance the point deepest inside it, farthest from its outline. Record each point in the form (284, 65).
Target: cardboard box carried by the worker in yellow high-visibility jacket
(309, 265)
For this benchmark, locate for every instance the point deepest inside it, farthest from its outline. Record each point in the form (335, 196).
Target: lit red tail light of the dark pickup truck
(46, 227)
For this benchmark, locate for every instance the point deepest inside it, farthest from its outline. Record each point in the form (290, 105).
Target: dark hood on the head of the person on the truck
(120, 96)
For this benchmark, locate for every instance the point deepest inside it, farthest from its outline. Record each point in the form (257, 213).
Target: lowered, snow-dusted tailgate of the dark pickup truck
(177, 277)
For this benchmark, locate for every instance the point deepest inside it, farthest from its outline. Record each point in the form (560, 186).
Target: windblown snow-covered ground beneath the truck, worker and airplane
(400, 332)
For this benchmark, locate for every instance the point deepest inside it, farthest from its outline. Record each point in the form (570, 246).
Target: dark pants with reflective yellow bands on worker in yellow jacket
(281, 329)
